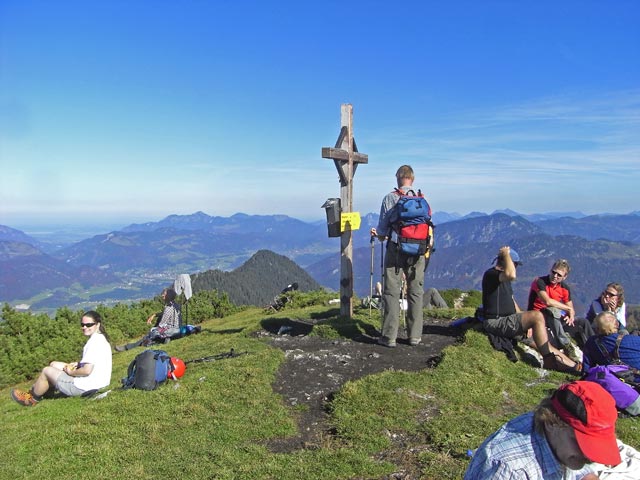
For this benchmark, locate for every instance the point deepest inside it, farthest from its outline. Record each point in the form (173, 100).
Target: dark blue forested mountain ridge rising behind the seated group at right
(466, 248)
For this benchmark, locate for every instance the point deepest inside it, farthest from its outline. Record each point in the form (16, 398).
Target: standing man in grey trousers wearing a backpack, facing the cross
(398, 263)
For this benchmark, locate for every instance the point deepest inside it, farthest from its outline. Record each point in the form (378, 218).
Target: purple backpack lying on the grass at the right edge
(619, 381)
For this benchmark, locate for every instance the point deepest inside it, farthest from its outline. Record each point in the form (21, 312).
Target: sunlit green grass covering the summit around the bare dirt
(214, 422)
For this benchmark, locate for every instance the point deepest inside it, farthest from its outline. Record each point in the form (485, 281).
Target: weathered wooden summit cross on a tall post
(346, 158)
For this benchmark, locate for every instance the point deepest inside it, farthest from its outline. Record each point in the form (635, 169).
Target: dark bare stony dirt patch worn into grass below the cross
(316, 368)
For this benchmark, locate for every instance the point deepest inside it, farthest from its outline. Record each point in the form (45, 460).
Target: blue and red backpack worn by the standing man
(411, 220)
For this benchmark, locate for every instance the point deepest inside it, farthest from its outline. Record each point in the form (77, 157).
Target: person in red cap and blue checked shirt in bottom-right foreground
(558, 440)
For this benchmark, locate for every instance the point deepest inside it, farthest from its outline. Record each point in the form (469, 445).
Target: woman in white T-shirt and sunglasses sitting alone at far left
(74, 379)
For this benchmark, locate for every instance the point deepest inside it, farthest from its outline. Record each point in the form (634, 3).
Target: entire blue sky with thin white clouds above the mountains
(120, 111)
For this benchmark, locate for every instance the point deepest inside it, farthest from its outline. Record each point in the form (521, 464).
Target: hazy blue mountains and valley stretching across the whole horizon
(139, 258)
